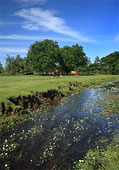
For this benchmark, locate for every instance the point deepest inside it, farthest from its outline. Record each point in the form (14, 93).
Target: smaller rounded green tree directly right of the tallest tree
(72, 58)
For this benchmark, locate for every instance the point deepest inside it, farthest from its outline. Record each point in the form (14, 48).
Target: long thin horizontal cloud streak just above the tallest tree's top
(35, 38)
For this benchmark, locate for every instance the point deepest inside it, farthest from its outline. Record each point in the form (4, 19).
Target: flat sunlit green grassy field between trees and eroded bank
(23, 85)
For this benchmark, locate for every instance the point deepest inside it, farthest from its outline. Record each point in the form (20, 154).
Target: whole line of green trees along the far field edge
(46, 56)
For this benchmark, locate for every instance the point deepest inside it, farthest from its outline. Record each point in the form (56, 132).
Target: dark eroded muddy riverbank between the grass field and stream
(26, 104)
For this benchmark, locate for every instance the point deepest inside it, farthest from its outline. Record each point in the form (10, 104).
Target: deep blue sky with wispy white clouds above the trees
(93, 24)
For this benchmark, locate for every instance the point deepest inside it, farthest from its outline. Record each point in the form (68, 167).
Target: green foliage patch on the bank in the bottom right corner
(107, 159)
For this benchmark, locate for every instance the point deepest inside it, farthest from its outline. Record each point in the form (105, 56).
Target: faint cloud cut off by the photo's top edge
(31, 2)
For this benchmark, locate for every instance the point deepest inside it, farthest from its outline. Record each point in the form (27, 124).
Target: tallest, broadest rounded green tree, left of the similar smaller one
(43, 56)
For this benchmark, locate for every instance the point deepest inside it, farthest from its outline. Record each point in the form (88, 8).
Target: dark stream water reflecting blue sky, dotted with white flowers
(61, 135)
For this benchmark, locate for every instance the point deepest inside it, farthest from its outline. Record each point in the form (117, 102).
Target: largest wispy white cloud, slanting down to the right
(37, 19)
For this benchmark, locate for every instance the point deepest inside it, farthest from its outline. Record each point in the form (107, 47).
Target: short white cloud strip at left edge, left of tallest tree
(12, 50)
